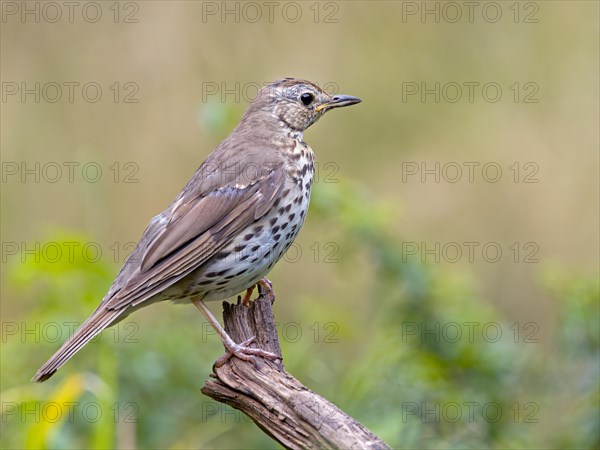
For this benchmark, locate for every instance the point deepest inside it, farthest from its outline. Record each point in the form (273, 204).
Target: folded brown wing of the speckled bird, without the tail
(198, 228)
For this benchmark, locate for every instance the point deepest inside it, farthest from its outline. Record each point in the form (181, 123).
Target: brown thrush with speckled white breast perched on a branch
(231, 223)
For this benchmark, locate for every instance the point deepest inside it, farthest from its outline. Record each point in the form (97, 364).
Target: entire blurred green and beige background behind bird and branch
(427, 349)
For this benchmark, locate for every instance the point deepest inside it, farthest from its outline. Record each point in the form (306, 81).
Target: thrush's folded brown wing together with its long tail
(203, 219)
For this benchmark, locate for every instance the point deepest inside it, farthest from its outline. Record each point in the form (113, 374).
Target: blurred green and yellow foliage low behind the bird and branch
(403, 368)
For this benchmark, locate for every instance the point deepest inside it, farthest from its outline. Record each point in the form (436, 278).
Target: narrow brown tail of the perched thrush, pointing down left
(100, 319)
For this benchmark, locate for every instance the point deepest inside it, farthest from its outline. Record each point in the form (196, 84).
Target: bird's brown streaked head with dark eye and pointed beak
(297, 103)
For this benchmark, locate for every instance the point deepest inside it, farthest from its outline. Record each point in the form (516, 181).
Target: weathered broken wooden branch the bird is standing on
(279, 404)
